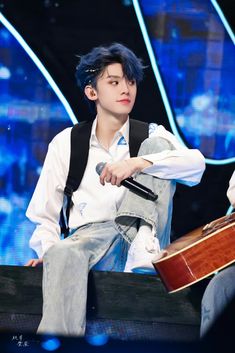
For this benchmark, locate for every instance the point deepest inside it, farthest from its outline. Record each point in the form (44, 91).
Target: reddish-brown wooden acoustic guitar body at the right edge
(198, 254)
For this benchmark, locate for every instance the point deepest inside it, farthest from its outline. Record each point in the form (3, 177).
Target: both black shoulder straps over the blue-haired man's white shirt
(80, 137)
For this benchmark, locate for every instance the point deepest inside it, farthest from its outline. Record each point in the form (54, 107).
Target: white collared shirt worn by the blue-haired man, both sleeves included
(92, 201)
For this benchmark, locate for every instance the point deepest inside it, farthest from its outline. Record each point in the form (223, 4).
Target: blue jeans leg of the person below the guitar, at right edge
(218, 294)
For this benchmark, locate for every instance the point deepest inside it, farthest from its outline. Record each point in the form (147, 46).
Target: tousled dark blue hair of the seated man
(92, 65)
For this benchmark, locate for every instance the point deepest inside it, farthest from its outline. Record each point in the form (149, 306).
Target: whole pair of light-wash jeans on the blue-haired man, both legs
(101, 246)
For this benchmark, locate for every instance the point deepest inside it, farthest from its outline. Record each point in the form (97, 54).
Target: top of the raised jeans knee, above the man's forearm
(154, 145)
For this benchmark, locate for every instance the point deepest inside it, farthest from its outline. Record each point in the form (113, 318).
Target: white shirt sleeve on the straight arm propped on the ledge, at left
(46, 202)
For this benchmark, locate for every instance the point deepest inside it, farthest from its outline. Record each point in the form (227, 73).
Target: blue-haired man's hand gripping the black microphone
(114, 173)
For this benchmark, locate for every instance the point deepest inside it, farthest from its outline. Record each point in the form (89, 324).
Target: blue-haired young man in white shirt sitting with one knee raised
(105, 216)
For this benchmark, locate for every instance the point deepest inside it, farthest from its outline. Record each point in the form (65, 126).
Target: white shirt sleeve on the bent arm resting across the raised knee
(180, 163)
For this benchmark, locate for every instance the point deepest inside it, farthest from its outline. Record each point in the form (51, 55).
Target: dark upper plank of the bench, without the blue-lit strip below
(111, 295)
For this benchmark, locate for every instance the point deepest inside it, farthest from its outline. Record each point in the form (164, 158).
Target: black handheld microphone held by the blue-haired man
(132, 185)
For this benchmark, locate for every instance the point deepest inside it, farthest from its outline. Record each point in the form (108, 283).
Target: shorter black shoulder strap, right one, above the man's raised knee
(139, 131)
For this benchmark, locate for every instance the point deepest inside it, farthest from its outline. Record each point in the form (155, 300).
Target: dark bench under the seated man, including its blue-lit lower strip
(130, 306)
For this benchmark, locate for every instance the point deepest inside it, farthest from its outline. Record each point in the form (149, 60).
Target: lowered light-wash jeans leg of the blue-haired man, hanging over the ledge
(65, 273)
